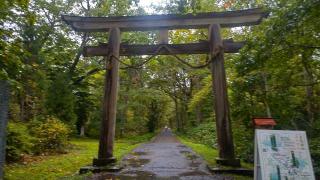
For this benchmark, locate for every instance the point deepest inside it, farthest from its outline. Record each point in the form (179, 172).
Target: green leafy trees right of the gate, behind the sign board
(277, 73)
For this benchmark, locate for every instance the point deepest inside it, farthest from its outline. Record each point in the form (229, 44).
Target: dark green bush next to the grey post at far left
(19, 142)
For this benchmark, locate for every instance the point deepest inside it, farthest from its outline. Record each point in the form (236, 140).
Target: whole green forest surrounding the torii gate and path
(56, 93)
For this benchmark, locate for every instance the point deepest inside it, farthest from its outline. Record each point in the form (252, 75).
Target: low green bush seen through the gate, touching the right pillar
(204, 133)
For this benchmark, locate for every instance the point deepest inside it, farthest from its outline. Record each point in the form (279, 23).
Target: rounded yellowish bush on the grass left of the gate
(52, 136)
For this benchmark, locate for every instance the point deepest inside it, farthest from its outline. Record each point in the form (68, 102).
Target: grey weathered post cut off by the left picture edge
(4, 105)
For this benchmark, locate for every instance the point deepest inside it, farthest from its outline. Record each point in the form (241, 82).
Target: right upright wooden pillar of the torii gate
(223, 124)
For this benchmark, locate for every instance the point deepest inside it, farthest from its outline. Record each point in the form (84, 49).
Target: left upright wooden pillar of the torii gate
(107, 133)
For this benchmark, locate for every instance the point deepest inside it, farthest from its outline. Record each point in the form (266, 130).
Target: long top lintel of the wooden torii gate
(170, 21)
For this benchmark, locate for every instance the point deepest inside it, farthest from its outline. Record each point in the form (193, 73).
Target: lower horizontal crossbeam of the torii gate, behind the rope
(136, 49)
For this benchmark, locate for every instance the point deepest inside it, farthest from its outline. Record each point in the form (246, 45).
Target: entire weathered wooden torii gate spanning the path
(215, 47)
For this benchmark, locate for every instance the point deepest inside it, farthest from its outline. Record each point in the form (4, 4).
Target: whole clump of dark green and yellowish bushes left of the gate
(38, 137)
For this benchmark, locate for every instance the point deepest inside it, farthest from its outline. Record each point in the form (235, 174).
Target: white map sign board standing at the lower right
(282, 155)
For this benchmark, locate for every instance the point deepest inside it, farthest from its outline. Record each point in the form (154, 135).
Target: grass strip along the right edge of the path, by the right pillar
(210, 154)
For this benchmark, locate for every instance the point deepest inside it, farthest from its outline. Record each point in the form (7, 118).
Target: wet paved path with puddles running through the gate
(163, 158)
